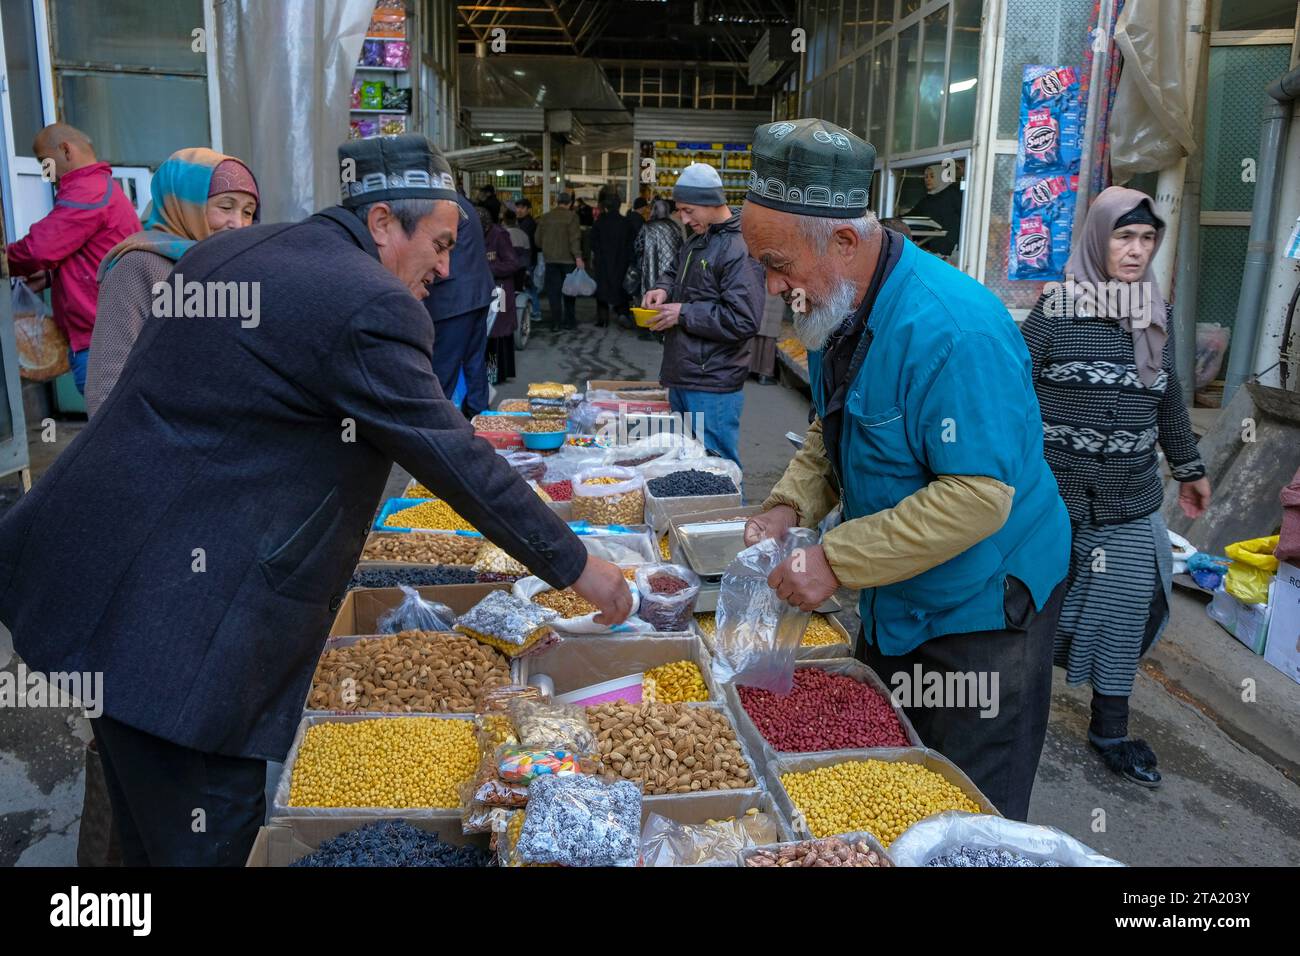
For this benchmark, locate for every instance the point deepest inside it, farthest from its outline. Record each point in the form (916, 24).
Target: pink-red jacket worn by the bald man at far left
(92, 215)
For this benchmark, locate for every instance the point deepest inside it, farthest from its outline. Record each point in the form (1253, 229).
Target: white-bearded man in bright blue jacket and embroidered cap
(929, 432)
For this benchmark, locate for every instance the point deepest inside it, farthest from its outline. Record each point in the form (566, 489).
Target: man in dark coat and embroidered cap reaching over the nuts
(194, 543)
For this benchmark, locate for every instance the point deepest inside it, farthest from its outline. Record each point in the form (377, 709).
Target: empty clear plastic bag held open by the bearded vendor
(759, 634)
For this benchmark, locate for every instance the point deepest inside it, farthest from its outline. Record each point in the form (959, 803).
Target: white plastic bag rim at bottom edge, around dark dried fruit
(946, 832)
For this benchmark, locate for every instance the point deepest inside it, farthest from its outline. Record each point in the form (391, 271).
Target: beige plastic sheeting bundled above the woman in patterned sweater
(1151, 123)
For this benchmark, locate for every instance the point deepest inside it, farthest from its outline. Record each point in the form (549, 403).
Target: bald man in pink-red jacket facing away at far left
(92, 215)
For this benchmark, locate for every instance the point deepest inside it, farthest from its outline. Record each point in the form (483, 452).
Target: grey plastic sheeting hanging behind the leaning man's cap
(285, 73)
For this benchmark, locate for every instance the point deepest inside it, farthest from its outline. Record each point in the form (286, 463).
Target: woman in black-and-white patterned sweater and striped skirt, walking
(1103, 356)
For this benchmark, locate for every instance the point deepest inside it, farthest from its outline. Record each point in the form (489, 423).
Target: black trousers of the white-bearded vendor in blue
(1000, 752)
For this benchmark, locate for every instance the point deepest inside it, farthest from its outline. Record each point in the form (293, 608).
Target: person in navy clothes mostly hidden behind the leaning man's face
(458, 306)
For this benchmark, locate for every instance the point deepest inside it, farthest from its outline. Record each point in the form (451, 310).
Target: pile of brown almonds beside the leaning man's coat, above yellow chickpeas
(414, 672)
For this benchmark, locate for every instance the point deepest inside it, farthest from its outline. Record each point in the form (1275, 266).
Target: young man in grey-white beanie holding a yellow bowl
(710, 306)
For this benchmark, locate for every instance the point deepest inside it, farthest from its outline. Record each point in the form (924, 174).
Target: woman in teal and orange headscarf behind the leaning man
(197, 193)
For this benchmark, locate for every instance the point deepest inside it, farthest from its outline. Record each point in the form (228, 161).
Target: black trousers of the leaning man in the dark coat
(176, 807)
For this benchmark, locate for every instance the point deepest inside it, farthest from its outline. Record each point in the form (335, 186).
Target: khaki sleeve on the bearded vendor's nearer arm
(922, 531)
